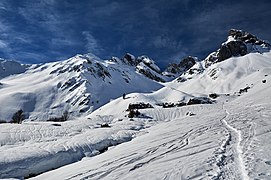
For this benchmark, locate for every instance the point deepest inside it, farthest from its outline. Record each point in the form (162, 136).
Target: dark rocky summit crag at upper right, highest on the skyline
(239, 43)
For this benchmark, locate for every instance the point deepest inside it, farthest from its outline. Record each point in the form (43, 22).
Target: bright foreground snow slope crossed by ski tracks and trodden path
(229, 140)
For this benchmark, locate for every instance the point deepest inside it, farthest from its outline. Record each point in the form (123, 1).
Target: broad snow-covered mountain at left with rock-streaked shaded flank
(78, 85)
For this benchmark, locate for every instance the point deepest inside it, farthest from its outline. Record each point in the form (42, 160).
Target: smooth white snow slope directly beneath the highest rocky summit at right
(228, 76)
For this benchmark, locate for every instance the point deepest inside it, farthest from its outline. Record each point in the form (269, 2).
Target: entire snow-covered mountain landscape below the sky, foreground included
(211, 122)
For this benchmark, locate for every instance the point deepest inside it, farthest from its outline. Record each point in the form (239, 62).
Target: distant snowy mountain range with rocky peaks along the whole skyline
(83, 83)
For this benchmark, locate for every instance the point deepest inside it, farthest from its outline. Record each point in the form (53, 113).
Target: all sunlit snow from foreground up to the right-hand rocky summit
(230, 139)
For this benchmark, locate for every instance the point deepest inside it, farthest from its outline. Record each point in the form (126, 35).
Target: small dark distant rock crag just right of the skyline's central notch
(174, 70)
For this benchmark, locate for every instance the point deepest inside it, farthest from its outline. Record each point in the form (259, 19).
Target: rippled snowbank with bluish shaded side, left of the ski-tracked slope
(33, 148)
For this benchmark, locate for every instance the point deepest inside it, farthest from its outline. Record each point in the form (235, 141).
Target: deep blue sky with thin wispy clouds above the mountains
(34, 31)
